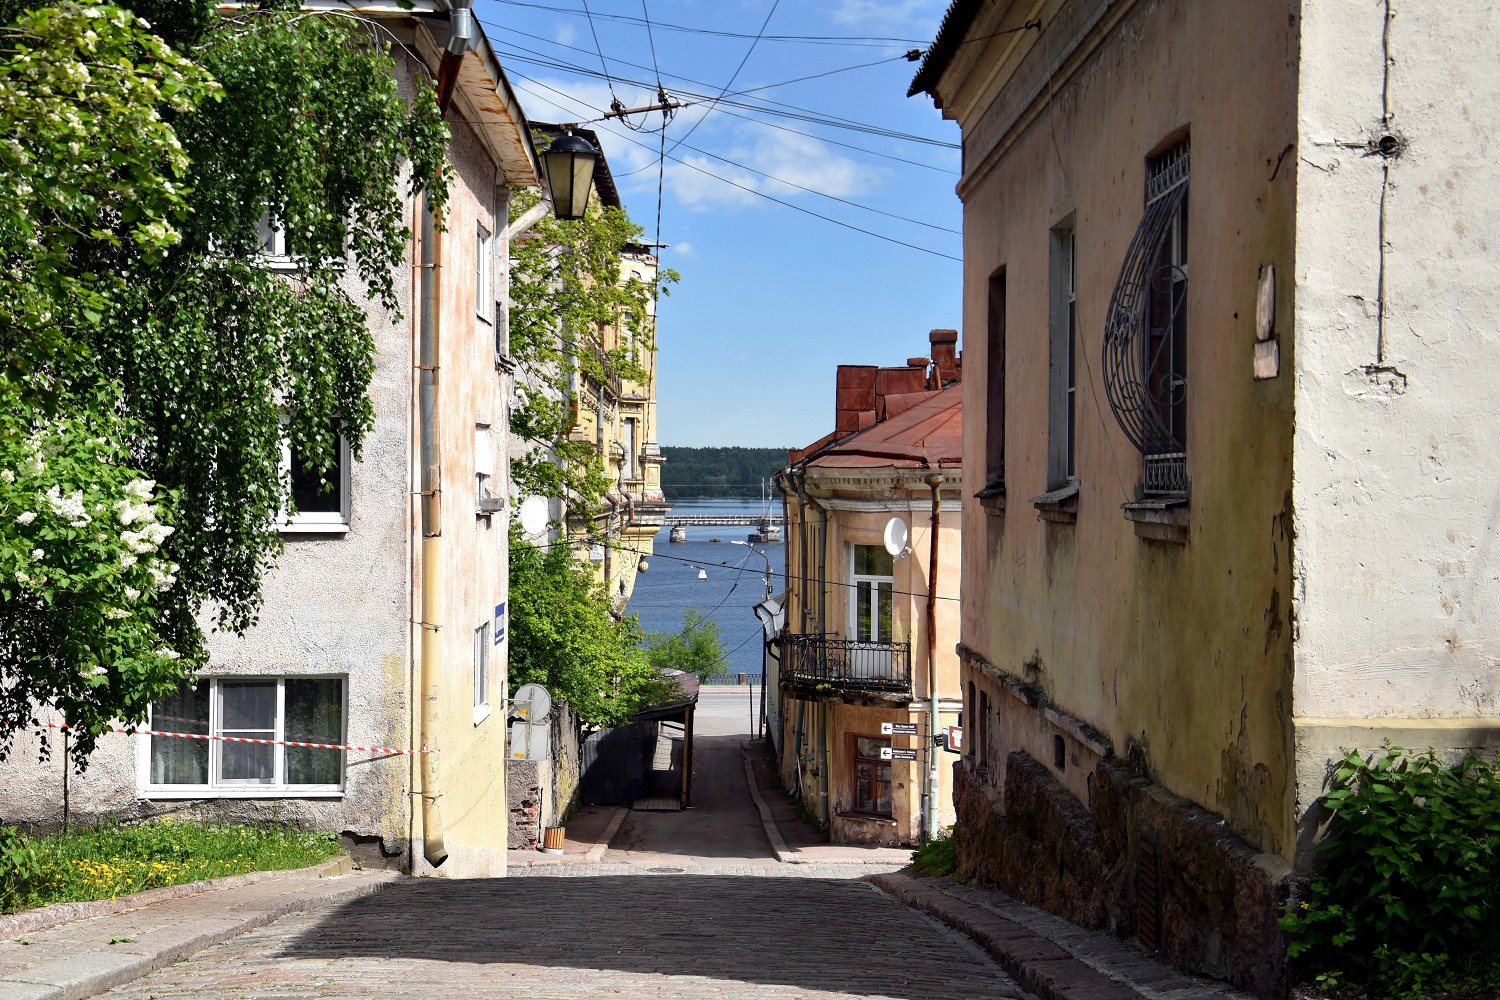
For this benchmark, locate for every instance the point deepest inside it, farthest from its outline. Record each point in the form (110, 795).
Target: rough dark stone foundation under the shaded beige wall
(1216, 903)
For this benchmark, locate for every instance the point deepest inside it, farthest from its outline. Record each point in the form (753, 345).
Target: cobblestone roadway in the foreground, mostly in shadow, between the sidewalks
(763, 932)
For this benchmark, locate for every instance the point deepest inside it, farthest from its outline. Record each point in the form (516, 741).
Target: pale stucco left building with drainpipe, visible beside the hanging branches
(385, 623)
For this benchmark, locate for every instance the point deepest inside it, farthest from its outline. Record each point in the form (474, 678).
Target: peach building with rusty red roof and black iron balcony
(869, 633)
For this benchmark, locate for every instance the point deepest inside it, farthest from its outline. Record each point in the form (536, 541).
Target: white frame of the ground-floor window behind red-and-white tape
(220, 789)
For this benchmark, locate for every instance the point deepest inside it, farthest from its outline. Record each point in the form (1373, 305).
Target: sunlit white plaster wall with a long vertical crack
(1397, 602)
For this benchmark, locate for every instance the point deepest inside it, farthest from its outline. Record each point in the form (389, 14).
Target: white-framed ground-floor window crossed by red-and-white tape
(226, 710)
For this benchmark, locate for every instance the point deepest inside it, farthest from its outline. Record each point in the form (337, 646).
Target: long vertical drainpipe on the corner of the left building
(430, 467)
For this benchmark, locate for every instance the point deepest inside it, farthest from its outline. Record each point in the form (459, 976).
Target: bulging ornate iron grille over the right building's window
(1144, 374)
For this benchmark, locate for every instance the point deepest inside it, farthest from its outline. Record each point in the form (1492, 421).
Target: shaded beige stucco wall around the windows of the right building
(1181, 651)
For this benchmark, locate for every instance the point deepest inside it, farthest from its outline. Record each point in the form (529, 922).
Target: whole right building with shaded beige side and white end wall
(1229, 302)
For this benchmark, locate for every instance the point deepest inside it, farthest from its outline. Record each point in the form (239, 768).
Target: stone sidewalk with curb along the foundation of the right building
(1043, 966)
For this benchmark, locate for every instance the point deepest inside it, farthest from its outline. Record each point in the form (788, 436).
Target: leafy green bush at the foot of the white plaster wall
(1408, 897)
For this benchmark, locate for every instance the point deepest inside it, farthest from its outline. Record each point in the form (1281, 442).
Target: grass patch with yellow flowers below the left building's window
(113, 860)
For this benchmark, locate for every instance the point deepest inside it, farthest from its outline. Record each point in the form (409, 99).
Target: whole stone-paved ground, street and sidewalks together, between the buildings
(779, 915)
